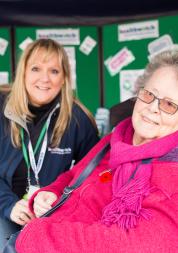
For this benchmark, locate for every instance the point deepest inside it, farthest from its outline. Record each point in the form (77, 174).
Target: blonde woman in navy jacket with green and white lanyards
(44, 130)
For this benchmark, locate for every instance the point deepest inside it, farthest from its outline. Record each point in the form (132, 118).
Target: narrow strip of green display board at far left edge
(5, 55)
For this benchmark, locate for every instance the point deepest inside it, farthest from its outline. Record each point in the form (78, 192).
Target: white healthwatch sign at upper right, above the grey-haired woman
(138, 30)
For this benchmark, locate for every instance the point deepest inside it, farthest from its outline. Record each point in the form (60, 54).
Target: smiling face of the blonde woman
(44, 78)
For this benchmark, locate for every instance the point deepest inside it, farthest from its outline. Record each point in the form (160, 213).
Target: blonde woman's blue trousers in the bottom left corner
(6, 229)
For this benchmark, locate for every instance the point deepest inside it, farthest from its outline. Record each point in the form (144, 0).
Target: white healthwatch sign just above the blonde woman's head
(63, 36)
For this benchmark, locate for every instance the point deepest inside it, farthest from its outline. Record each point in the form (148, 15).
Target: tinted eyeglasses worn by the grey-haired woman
(163, 104)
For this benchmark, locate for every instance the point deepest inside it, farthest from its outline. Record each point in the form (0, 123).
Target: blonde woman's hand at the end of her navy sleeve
(20, 213)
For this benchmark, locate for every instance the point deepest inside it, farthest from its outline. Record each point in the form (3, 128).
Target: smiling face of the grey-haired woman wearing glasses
(148, 120)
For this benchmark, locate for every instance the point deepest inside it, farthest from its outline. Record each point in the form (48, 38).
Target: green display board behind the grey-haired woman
(138, 47)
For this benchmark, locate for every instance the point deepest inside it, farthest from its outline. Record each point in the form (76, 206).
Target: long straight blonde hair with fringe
(18, 97)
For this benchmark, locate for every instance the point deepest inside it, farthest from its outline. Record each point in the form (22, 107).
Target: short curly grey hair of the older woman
(168, 58)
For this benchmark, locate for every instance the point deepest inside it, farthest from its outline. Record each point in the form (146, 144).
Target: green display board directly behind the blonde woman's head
(87, 65)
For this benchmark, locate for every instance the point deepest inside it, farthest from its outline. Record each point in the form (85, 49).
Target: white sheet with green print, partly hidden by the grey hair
(127, 83)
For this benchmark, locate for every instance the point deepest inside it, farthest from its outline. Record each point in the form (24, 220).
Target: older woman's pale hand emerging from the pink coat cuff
(43, 202)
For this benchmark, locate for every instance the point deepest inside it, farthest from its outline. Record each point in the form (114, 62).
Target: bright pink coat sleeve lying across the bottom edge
(156, 235)
